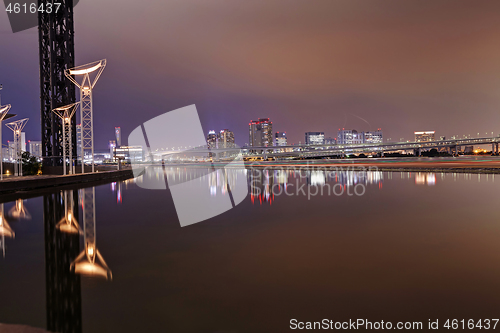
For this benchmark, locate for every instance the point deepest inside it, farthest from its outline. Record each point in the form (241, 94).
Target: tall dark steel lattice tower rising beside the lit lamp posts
(57, 53)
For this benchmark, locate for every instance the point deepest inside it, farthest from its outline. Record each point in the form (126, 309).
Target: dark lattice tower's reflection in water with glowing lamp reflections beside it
(64, 263)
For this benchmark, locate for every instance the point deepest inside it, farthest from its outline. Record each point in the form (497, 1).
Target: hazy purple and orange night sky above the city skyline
(314, 65)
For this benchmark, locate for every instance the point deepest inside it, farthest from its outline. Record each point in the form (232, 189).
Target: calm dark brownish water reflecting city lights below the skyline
(409, 247)
